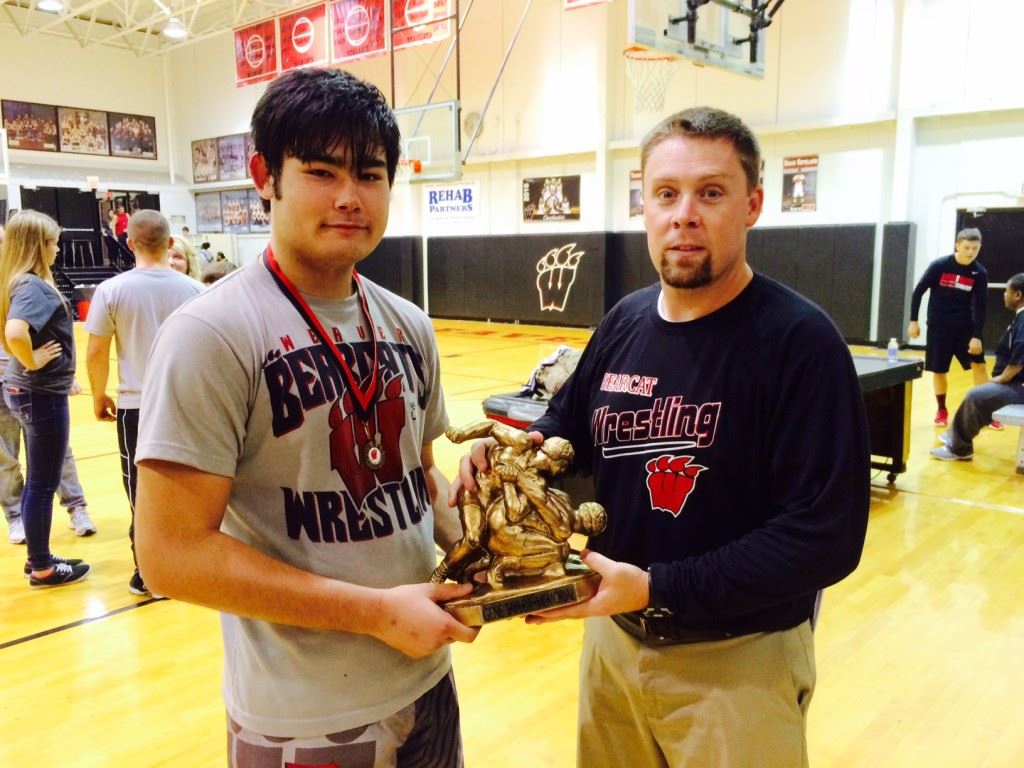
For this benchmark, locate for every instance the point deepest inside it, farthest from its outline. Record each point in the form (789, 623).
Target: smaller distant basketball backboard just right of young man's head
(431, 136)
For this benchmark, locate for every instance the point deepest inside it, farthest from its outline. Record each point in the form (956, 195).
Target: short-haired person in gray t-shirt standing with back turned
(132, 308)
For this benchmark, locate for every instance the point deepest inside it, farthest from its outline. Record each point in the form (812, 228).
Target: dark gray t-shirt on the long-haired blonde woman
(49, 316)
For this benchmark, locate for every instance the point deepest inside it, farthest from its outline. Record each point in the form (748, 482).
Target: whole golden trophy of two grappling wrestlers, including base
(517, 529)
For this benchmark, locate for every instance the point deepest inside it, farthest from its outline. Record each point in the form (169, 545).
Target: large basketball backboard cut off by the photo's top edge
(719, 33)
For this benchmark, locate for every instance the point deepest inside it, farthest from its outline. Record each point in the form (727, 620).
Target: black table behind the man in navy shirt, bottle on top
(886, 388)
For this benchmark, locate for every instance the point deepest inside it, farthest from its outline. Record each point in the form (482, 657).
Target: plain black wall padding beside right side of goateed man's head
(831, 266)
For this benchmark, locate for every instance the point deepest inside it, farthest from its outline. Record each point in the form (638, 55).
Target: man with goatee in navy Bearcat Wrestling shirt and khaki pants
(721, 416)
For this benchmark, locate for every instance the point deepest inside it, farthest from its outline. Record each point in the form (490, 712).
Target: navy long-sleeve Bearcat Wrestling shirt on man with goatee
(731, 452)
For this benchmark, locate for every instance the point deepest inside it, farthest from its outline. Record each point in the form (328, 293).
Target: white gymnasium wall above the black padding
(868, 86)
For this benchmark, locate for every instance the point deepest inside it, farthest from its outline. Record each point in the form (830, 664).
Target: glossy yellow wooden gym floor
(920, 652)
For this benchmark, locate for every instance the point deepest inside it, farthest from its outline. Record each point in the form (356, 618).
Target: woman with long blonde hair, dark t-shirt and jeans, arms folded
(39, 336)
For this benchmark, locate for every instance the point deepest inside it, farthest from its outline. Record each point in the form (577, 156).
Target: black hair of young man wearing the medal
(309, 114)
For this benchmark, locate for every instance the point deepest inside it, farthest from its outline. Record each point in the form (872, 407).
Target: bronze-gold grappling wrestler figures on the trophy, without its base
(515, 525)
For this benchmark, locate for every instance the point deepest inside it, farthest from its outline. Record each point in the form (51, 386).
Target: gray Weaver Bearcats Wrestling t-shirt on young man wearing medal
(238, 387)
